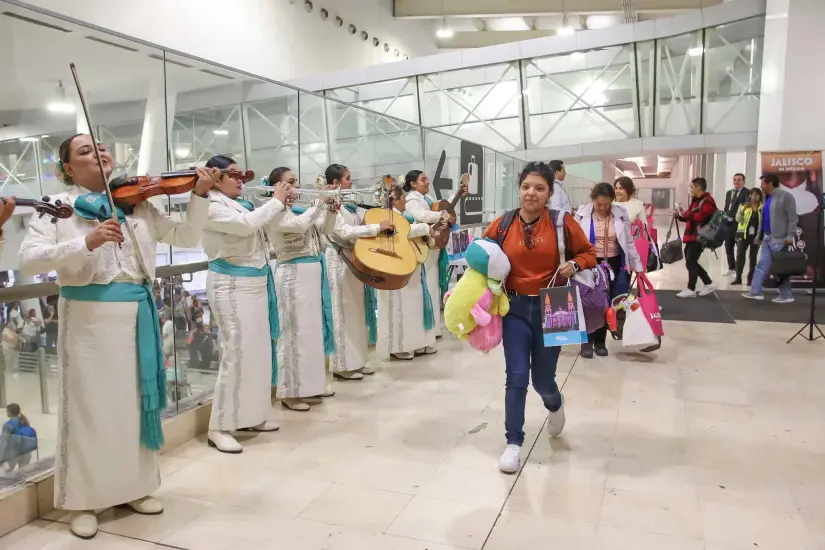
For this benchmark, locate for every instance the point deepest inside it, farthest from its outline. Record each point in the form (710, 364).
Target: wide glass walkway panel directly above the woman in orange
(581, 97)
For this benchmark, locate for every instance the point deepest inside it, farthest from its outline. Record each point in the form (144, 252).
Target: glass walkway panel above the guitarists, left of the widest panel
(481, 104)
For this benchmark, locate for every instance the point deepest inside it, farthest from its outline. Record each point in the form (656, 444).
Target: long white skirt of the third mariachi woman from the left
(301, 360)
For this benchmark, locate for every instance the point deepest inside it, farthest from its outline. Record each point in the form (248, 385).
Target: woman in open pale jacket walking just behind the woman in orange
(608, 227)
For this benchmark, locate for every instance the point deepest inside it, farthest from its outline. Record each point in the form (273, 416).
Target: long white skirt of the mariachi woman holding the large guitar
(349, 316)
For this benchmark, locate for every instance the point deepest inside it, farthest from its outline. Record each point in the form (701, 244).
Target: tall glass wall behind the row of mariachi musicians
(159, 111)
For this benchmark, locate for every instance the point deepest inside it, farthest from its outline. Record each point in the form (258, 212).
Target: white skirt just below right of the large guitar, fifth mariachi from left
(401, 318)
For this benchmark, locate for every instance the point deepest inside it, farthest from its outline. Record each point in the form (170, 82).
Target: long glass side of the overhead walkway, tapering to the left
(702, 82)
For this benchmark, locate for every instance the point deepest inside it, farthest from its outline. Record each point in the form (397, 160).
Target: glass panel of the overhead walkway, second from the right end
(679, 81)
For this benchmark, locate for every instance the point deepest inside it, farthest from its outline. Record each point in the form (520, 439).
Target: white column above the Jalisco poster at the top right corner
(792, 77)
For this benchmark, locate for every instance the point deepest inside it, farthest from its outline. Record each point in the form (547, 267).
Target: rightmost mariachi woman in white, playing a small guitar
(419, 205)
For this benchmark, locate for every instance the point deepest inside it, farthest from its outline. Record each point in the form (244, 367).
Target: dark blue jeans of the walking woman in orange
(524, 352)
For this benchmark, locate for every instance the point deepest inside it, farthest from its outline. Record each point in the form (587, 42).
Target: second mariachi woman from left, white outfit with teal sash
(242, 299)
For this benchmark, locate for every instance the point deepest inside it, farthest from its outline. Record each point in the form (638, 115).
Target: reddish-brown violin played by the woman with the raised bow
(135, 189)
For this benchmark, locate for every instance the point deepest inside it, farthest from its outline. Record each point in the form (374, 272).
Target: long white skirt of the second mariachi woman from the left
(242, 397)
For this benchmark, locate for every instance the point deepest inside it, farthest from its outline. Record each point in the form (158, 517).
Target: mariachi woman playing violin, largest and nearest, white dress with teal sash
(110, 363)
